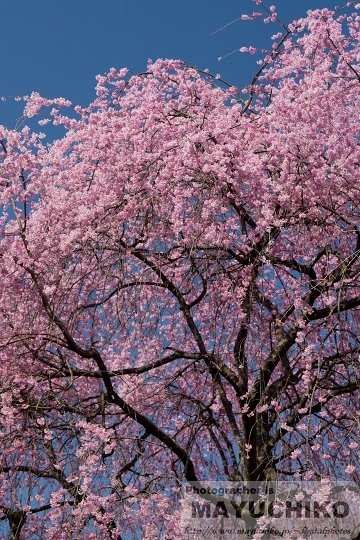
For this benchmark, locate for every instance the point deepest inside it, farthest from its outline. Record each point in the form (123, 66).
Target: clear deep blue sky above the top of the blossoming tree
(56, 47)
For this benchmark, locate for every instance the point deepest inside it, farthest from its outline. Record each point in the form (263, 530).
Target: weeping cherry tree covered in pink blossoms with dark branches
(180, 289)
